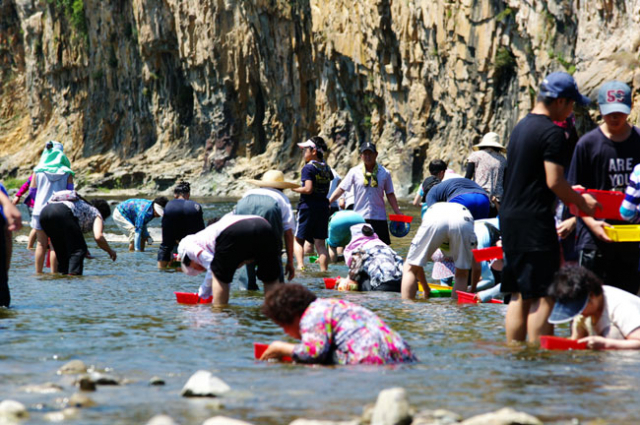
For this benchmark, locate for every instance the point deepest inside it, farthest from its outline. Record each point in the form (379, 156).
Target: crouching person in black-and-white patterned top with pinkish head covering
(373, 265)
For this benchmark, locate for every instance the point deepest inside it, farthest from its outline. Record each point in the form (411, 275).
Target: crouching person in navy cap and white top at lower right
(603, 316)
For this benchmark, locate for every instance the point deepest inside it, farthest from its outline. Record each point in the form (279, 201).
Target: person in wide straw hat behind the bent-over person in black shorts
(269, 201)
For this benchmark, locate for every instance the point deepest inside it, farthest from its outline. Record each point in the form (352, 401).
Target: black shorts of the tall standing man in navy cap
(530, 273)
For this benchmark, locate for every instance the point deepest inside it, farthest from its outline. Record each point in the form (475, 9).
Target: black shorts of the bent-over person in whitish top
(250, 239)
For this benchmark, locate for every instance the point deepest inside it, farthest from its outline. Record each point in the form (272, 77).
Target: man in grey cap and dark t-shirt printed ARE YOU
(604, 159)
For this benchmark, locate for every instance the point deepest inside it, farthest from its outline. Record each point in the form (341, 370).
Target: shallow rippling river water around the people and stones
(122, 317)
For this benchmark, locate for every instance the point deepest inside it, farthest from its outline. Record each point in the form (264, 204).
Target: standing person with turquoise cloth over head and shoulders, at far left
(52, 174)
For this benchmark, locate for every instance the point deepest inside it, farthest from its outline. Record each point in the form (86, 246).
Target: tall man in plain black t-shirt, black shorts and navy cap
(533, 178)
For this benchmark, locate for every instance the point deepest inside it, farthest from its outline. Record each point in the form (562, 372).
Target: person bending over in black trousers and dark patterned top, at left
(64, 219)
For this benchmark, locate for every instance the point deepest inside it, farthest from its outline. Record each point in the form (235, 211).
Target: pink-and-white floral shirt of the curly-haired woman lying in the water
(339, 332)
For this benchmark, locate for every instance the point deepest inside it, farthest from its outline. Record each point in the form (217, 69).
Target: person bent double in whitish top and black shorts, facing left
(226, 245)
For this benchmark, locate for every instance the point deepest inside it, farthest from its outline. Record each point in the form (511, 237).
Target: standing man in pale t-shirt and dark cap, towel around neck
(370, 182)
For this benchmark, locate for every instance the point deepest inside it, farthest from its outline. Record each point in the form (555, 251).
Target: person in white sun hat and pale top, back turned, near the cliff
(486, 167)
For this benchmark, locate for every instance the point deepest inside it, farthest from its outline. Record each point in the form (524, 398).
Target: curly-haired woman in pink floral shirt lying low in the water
(331, 331)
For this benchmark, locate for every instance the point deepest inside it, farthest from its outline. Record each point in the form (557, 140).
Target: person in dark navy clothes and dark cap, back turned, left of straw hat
(182, 217)
